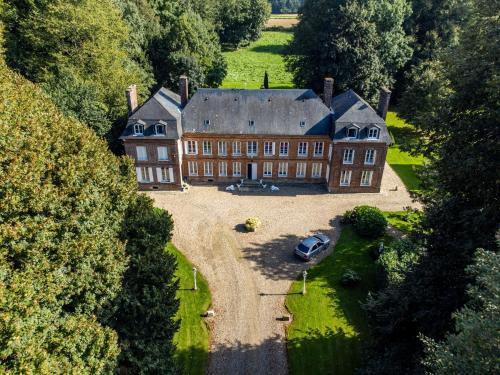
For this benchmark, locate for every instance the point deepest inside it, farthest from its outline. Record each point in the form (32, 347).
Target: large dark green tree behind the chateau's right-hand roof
(359, 43)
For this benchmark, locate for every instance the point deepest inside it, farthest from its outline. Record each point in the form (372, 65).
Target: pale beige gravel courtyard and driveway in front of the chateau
(250, 273)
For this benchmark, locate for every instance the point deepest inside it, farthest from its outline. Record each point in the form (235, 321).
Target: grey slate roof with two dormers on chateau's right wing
(349, 109)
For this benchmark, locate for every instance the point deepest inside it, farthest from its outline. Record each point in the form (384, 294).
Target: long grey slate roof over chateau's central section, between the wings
(273, 112)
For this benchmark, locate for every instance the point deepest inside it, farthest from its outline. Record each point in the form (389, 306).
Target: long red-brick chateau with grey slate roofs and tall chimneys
(279, 136)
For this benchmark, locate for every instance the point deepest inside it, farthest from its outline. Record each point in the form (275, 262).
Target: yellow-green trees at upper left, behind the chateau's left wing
(85, 53)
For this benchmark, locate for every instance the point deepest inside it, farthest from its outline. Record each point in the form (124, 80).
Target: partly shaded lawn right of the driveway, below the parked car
(329, 326)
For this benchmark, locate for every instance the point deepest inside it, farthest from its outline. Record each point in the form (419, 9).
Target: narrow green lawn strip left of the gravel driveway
(192, 338)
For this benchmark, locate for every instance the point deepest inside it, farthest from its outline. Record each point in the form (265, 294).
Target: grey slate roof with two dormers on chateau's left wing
(164, 106)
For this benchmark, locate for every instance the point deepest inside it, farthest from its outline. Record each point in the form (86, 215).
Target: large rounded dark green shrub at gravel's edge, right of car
(367, 221)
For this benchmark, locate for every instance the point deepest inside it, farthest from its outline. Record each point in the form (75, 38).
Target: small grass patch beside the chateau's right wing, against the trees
(404, 164)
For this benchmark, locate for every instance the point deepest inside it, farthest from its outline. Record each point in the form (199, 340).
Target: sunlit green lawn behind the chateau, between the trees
(246, 66)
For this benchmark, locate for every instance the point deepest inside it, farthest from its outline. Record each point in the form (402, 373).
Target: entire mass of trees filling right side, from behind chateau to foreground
(440, 298)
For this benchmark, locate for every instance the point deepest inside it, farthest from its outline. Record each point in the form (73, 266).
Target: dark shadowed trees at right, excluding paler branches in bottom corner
(456, 110)
